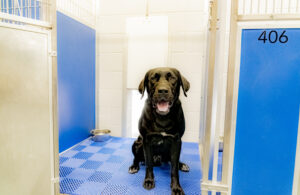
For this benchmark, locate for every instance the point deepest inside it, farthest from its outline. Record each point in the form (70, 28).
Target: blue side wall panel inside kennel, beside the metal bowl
(76, 55)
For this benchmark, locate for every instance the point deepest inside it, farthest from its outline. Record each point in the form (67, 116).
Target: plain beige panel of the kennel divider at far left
(24, 113)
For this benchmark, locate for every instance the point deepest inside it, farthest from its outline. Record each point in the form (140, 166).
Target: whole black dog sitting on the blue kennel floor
(161, 125)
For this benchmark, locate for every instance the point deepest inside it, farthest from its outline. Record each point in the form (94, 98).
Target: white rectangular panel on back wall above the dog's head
(147, 46)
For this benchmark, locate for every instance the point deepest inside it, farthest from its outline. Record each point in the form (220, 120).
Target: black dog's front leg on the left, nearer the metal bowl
(149, 177)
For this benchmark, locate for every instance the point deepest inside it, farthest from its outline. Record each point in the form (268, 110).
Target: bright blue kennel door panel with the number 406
(267, 113)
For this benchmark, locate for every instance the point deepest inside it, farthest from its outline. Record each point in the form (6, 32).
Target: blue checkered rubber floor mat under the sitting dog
(94, 168)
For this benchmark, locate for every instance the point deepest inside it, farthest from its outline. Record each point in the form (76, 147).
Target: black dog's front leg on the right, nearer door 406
(175, 154)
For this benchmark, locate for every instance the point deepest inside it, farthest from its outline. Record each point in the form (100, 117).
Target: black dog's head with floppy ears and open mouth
(163, 88)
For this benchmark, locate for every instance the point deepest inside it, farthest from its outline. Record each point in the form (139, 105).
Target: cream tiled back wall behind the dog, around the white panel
(187, 47)
